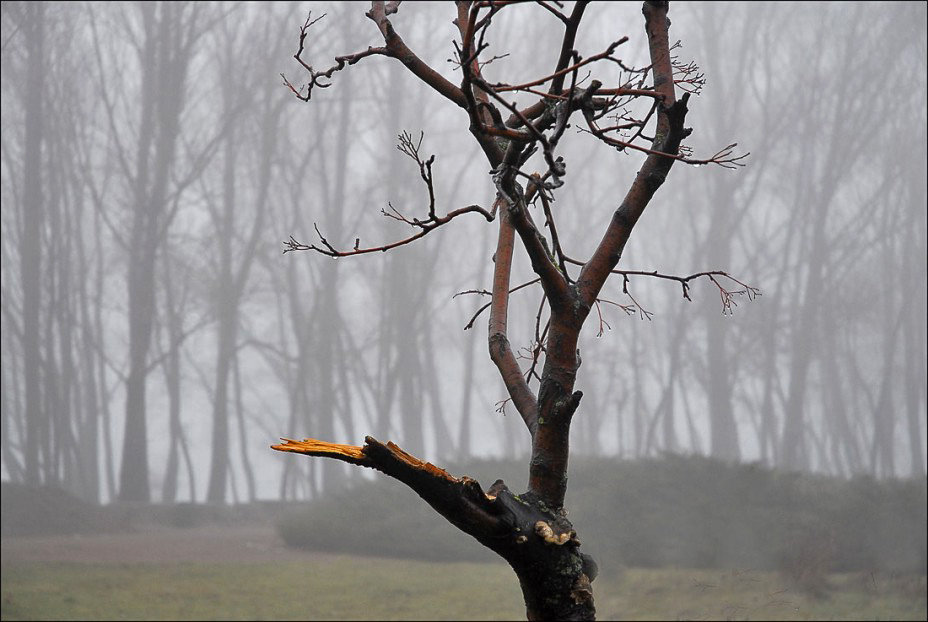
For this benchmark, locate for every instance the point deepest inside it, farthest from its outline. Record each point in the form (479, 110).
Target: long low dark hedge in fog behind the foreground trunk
(686, 511)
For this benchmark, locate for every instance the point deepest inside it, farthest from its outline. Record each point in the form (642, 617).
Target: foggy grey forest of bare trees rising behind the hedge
(171, 186)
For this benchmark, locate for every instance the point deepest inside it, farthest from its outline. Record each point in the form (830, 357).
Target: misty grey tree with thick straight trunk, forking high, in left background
(164, 38)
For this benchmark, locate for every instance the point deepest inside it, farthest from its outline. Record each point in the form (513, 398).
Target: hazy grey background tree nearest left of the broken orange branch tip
(246, 103)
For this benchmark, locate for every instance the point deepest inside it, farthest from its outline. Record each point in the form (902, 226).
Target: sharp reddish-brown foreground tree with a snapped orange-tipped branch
(531, 530)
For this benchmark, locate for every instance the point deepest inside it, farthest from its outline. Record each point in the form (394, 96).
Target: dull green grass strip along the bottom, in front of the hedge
(344, 587)
